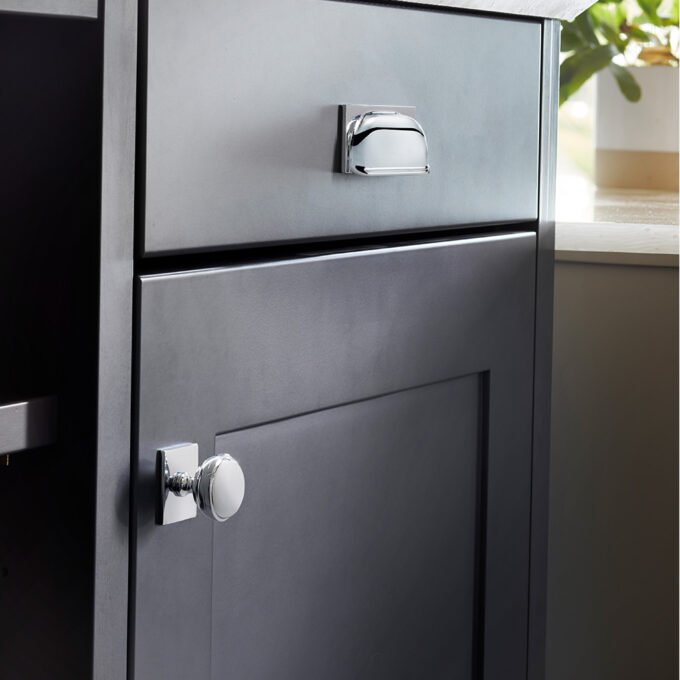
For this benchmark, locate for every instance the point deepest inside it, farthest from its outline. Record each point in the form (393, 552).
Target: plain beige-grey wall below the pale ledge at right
(613, 571)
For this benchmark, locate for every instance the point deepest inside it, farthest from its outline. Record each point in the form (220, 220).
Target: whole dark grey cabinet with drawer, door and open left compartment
(374, 352)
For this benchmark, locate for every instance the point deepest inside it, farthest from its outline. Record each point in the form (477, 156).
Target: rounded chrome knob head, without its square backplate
(219, 487)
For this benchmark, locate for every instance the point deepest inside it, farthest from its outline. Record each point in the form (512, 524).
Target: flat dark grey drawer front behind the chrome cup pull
(242, 135)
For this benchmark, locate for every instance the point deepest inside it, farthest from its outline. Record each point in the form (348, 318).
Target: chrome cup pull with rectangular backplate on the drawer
(383, 140)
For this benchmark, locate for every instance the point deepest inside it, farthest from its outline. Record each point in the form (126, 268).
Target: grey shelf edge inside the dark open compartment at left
(28, 424)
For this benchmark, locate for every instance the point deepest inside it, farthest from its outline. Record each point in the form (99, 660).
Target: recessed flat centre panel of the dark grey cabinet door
(354, 554)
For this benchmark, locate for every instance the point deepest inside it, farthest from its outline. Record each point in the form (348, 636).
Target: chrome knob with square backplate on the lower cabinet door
(217, 486)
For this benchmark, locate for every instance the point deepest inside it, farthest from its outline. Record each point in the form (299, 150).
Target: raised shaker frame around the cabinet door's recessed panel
(229, 348)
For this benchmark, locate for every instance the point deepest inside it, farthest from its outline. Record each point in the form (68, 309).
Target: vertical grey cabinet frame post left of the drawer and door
(114, 349)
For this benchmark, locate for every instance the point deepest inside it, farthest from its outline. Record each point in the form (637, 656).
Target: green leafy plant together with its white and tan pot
(633, 46)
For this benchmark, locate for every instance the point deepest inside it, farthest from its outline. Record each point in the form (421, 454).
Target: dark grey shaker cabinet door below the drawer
(379, 403)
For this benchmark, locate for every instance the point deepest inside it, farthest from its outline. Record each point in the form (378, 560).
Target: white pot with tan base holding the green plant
(636, 144)
